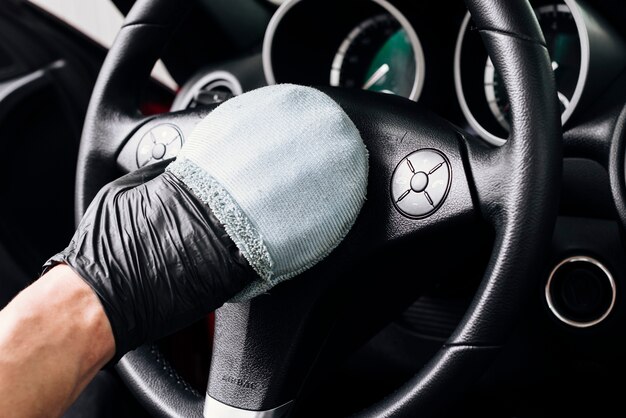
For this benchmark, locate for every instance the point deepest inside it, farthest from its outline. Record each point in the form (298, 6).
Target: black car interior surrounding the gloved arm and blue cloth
(399, 68)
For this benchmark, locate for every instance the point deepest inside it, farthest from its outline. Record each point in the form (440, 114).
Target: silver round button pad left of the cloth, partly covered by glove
(159, 143)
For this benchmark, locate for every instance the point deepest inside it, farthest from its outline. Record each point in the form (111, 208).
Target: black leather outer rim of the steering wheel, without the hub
(520, 205)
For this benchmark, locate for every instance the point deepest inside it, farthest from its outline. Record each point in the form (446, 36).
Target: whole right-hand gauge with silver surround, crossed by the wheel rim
(583, 49)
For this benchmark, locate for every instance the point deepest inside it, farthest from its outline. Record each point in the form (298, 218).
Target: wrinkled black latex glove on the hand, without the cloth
(157, 257)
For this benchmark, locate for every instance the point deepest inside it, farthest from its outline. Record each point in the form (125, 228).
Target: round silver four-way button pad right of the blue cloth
(420, 183)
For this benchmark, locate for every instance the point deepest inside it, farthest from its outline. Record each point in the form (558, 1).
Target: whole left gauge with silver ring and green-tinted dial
(358, 44)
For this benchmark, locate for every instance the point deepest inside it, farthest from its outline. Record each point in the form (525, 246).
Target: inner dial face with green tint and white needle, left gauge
(379, 55)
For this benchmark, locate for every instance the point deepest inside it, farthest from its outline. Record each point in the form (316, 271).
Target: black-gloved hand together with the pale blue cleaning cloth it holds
(266, 186)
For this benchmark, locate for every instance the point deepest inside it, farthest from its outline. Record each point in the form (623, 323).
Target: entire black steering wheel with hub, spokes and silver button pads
(270, 351)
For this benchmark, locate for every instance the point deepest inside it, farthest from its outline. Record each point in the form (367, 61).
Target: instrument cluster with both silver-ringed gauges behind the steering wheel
(381, 46)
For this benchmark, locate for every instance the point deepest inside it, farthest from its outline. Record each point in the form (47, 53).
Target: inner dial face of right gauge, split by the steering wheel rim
(562, 39)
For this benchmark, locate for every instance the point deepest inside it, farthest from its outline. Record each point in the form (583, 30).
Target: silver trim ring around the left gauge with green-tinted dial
(420, 62)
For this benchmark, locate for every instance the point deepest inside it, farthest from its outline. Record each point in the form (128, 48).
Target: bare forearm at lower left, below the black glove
(54, 337)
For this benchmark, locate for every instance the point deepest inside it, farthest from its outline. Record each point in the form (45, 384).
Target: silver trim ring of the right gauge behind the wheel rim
(585, 60)
